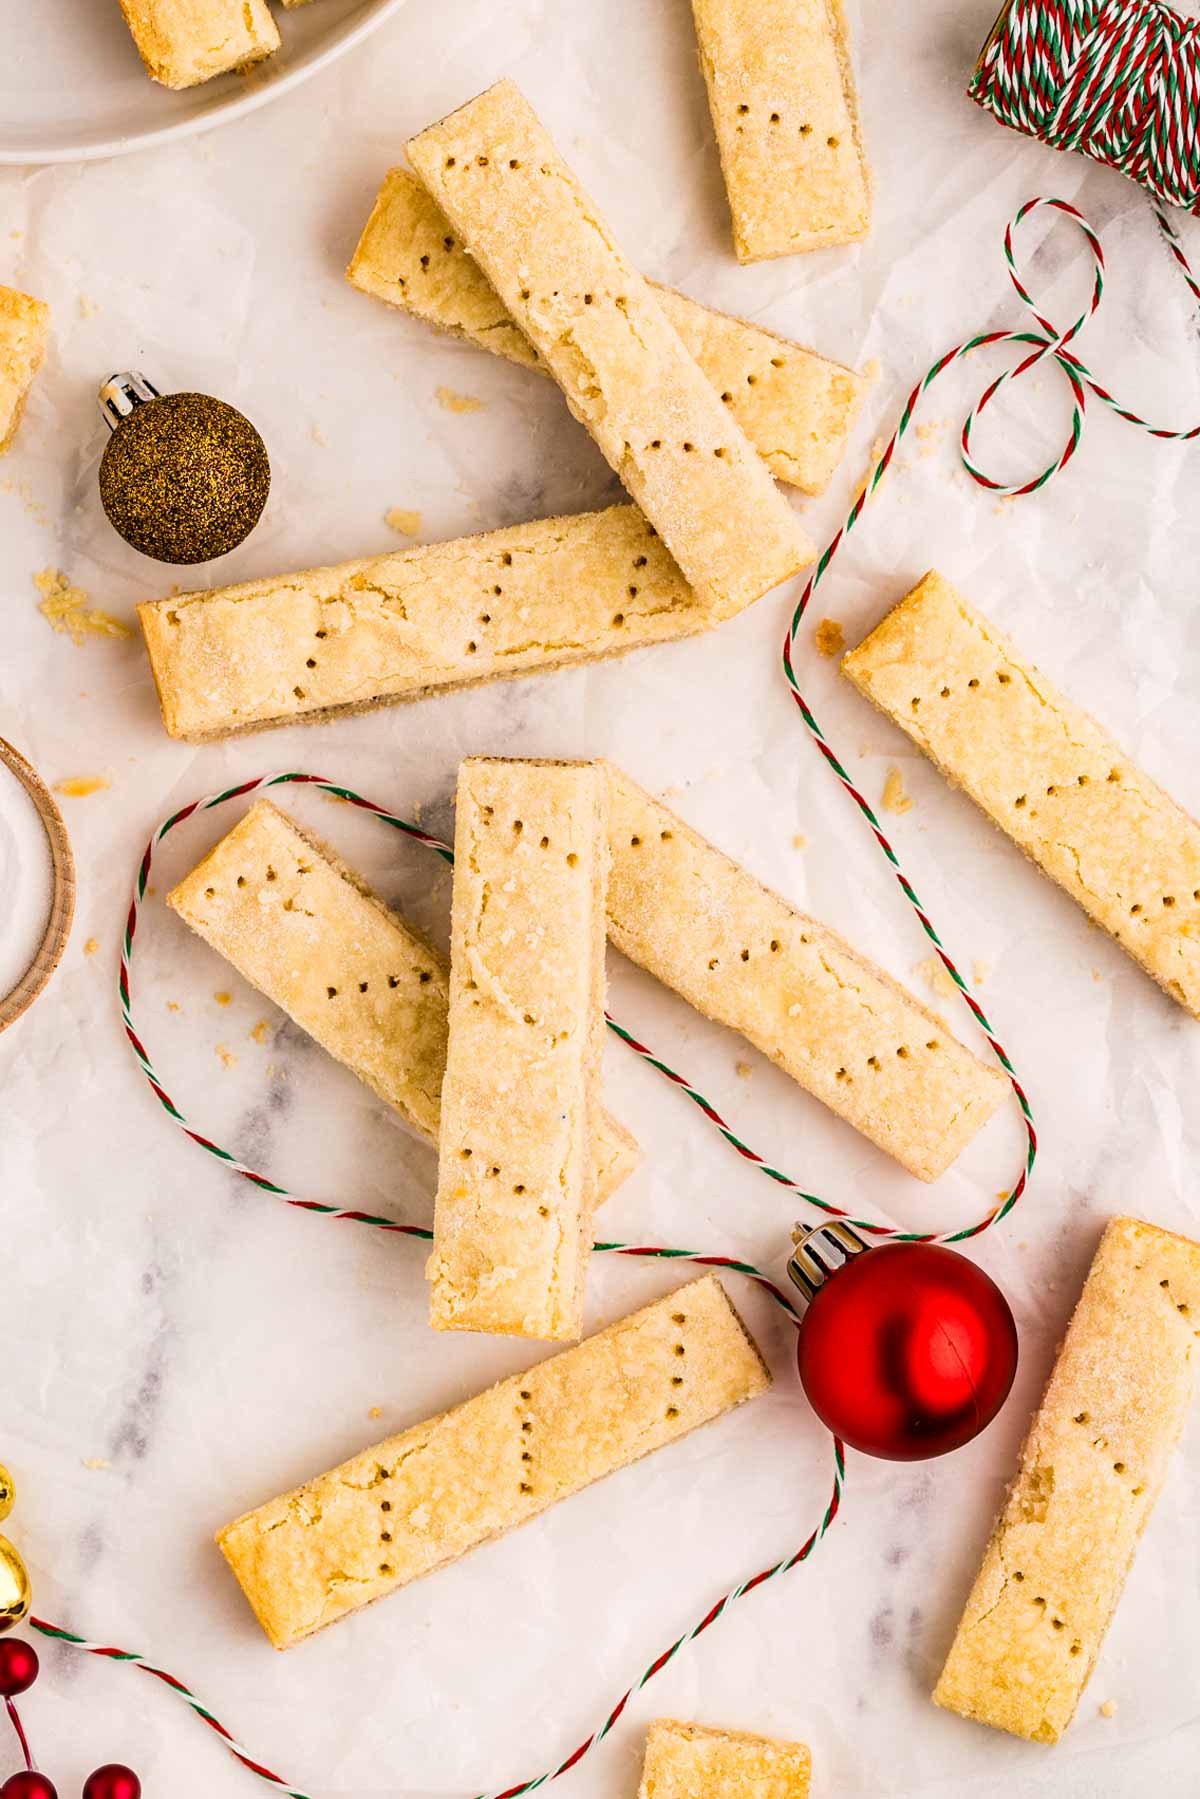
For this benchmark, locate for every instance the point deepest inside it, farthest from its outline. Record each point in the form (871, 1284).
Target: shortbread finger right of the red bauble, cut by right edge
(1091, 1471)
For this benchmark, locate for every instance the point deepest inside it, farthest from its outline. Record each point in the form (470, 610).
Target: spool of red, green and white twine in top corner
(1116, 80)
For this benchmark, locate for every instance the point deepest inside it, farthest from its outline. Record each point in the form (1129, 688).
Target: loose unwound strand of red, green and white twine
(1043, 345)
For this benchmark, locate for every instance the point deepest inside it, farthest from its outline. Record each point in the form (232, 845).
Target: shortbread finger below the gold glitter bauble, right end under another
(309, 647)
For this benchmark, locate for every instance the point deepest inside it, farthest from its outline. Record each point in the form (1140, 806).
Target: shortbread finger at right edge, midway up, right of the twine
(1044, 773)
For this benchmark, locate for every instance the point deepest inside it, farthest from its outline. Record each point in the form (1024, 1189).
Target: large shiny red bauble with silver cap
(908, 1350)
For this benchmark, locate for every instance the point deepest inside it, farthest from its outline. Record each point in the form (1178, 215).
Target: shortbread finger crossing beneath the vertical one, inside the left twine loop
(309, 933)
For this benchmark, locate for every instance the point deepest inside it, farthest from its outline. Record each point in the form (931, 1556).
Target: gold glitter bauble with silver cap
(184, 478)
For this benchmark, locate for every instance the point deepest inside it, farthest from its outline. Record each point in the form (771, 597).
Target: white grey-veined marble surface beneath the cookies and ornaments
(181, 1347)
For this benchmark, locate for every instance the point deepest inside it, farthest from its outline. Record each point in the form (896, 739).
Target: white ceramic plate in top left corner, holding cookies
(73, 87)
